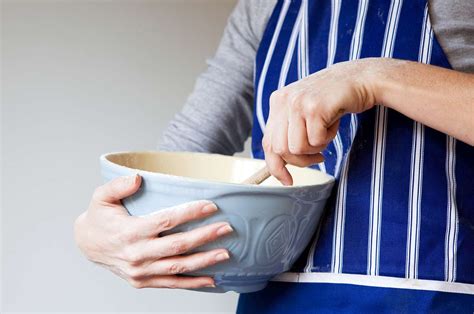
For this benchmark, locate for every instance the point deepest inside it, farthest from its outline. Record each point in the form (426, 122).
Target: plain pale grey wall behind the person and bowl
(81, 78)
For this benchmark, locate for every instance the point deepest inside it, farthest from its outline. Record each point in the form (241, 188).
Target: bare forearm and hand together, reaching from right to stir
(304, 116)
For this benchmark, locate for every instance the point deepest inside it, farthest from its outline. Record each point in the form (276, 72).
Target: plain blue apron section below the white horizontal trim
(343, 298)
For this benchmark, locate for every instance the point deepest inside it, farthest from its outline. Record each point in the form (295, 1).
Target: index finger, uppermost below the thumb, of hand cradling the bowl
(166, 219)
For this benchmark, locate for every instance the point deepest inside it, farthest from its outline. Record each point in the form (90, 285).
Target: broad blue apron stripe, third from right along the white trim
(398, 143)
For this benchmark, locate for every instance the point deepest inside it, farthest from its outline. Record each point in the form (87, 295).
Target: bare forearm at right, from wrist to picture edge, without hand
(439, 98)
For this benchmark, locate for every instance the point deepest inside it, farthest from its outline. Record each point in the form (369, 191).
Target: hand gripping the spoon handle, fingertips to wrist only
(304, 116)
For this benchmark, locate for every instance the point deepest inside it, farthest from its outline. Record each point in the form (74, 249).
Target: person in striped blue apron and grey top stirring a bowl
(383, 90)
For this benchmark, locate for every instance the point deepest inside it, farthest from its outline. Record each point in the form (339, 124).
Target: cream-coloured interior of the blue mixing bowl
(210, 167)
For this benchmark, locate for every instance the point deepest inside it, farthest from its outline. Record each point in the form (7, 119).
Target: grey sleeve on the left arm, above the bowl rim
(217, 116)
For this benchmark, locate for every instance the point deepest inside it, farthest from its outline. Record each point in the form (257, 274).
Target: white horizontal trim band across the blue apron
(377, 281)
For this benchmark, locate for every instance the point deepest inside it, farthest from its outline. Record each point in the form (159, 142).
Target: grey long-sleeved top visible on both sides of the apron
(217, 116)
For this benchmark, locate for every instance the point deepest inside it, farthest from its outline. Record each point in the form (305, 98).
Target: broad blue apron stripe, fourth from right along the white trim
(359, 176)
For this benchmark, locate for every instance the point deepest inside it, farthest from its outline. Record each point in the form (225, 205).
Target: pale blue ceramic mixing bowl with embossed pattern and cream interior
(272, 223)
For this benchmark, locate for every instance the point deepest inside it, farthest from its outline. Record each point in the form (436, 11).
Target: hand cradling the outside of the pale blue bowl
(131, 248)
